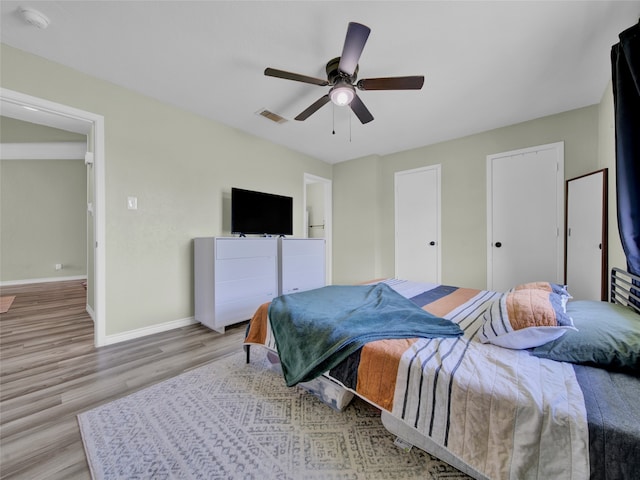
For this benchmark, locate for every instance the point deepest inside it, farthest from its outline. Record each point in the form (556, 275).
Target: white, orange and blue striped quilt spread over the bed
(503, 412)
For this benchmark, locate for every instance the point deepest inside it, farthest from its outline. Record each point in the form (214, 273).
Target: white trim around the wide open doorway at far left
(96, 124)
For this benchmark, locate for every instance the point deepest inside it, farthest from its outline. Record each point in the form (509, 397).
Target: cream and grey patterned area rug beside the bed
(231, 420)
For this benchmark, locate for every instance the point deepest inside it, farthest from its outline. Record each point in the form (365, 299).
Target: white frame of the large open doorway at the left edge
(41, 111)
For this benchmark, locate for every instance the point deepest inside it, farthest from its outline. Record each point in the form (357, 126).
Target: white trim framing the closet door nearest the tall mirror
(559, 147)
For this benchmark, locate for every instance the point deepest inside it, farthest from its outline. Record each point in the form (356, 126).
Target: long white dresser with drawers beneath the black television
(233, 276)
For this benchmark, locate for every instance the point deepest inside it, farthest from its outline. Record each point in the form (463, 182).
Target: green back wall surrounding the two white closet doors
(463, 160)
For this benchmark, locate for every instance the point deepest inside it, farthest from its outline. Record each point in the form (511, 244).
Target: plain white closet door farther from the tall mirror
(417, 224)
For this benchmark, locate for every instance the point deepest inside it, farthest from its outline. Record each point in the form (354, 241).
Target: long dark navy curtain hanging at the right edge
(625, 60)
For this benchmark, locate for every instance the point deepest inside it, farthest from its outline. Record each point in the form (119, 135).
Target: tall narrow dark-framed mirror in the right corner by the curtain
(586, 242)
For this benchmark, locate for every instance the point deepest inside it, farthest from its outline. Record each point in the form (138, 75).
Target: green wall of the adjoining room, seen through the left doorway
(42, 213)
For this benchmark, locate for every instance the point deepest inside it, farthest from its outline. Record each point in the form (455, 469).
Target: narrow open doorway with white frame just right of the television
(317, 215)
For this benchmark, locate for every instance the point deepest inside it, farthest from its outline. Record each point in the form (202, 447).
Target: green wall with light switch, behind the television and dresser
(180, 166)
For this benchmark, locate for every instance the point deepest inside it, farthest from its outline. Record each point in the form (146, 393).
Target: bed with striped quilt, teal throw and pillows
(545, 400)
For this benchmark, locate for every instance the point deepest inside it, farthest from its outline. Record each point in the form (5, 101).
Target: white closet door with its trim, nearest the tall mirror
(525, 202)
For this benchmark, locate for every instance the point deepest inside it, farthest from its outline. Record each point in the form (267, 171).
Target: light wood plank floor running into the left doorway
(50, 372)
